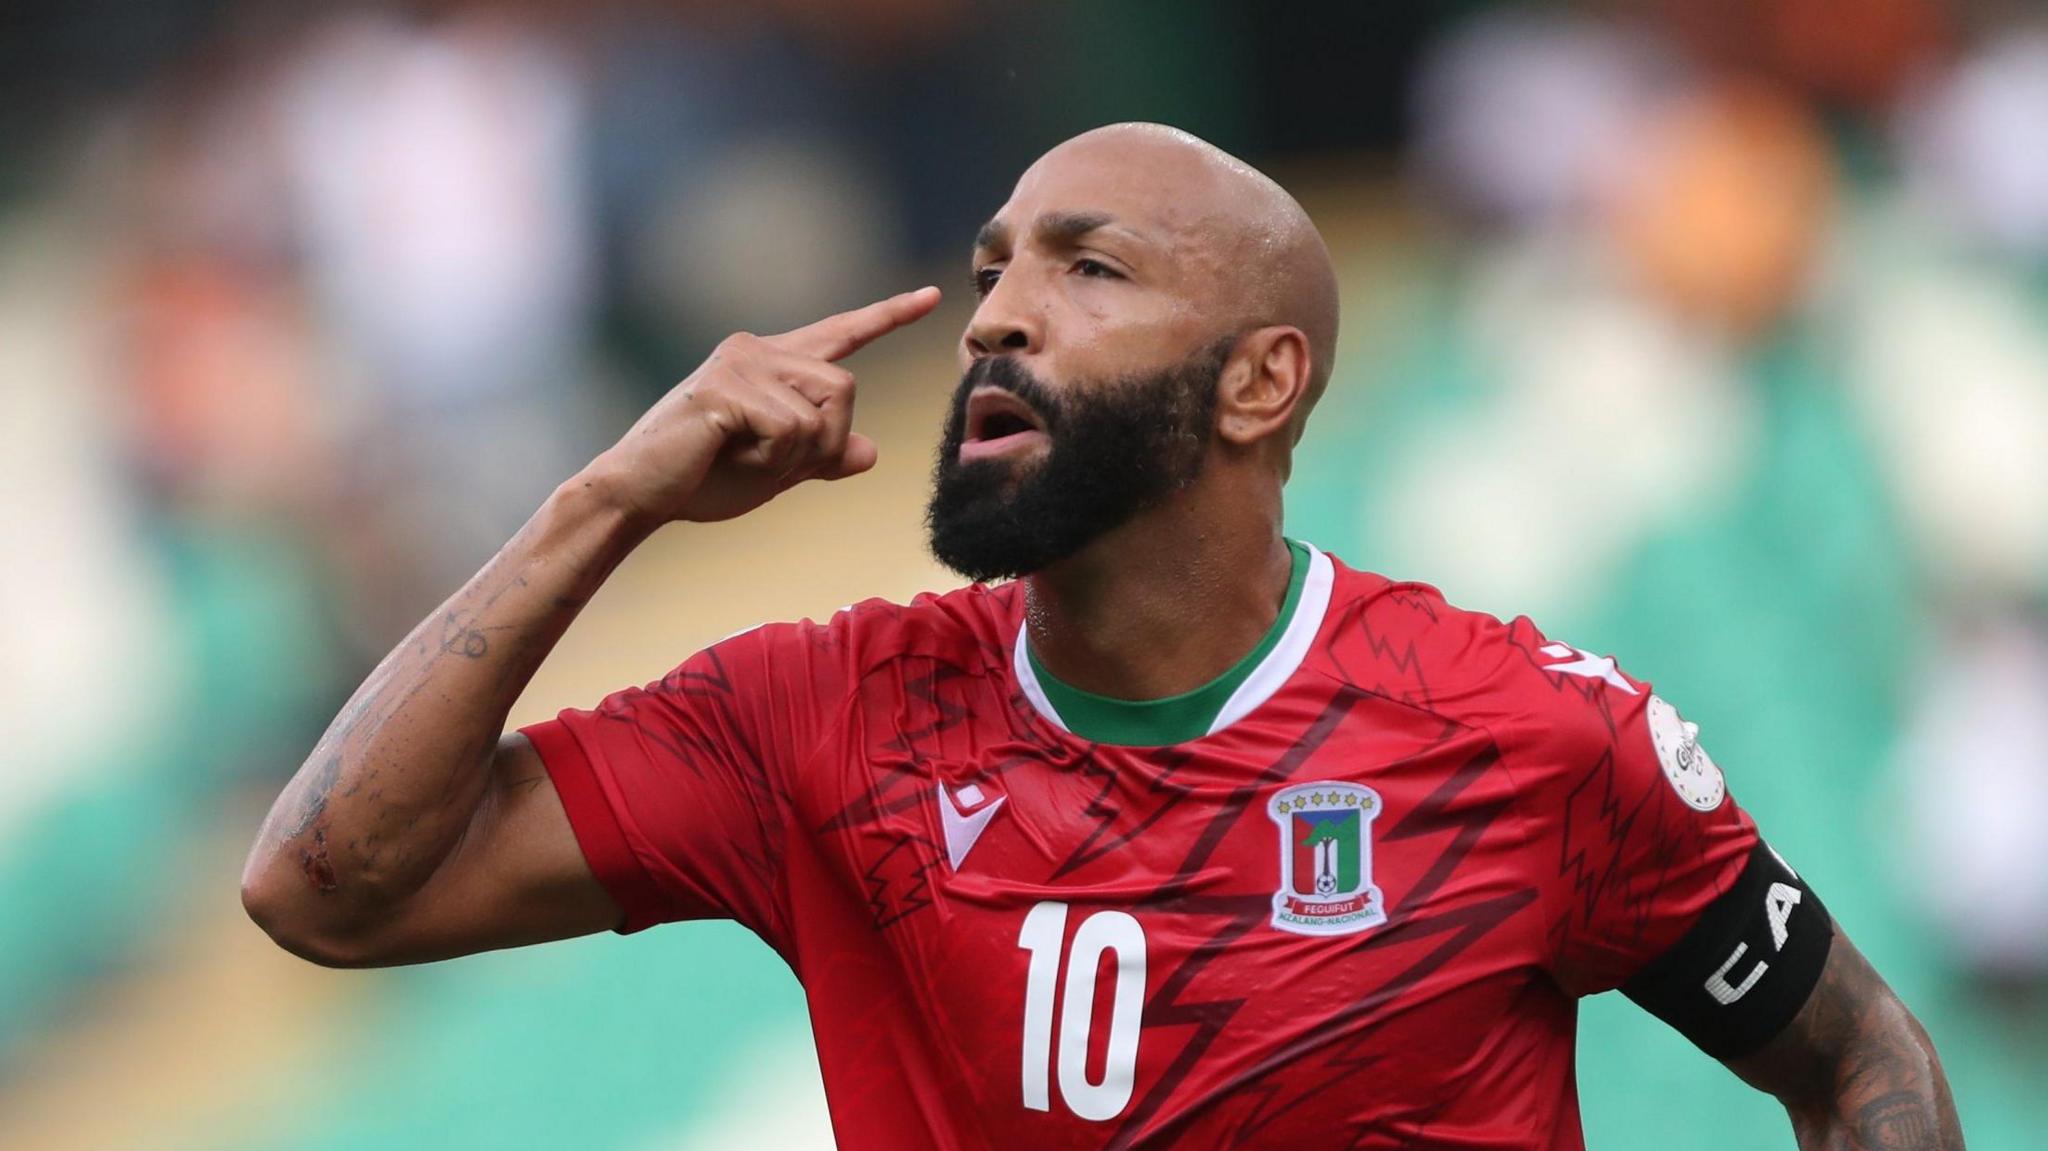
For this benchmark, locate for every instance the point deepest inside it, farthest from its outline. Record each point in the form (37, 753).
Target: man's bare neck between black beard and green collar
(1162, 605)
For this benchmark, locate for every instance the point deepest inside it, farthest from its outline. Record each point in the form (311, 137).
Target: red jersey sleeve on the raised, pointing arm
(679, 792)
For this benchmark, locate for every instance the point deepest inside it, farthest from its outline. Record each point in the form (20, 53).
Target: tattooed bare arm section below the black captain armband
(1854, 1068)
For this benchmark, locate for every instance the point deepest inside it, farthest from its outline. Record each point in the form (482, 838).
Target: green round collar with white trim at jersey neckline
(1175, 720)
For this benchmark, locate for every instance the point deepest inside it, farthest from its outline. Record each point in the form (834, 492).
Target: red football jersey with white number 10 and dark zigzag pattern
(1357, 914)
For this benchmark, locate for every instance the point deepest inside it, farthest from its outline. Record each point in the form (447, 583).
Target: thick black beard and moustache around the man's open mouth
(1117, 450)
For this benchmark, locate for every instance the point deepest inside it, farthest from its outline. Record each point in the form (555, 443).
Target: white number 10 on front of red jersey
(1117, 933)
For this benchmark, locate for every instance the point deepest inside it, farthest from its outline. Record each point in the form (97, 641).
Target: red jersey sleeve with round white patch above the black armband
(1637, 828)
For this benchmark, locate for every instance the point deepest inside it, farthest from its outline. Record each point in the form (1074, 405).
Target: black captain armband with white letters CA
(1746, 968)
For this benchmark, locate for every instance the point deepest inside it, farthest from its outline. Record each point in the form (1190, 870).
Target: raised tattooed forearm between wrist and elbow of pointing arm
(394, 783)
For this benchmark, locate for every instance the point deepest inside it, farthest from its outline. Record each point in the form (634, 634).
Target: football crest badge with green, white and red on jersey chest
(1326, 859)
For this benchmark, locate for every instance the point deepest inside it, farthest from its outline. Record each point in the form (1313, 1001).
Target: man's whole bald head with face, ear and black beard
(1156, 323)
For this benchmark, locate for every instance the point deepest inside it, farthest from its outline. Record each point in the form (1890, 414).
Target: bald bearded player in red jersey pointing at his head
(1185, 837)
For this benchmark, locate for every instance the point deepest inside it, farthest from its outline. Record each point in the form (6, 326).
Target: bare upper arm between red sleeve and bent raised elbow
(517, 876)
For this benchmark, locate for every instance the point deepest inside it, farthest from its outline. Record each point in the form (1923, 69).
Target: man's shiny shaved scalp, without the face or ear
(1267, 259)
